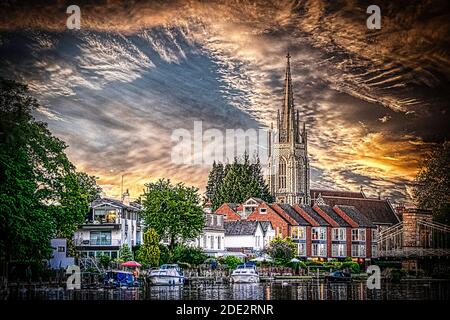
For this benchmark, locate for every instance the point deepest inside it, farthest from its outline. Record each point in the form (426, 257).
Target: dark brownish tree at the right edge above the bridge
(432, 184)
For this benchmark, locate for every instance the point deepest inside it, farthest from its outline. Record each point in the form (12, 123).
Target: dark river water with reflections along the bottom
(307, 290)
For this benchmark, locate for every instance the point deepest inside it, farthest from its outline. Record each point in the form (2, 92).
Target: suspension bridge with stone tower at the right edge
(417, 236)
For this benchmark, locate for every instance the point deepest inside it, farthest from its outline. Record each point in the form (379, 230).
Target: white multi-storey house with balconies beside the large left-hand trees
(110, 224)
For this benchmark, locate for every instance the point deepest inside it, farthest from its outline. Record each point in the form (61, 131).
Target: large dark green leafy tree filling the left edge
(40, 195)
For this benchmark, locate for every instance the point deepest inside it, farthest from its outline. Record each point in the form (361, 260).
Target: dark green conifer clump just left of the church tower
(237, 182)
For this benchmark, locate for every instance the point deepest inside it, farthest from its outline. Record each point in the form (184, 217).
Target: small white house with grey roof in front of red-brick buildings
(245, 236)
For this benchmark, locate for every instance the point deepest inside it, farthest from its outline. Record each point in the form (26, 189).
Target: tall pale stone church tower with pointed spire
(288, 164)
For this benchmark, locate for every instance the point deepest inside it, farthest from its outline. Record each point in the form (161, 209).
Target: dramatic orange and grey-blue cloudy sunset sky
(374, 101)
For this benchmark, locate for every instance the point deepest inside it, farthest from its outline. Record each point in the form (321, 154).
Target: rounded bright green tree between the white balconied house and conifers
(173, 211)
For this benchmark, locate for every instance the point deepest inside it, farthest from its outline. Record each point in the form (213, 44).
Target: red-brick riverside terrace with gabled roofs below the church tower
(320, 231)
